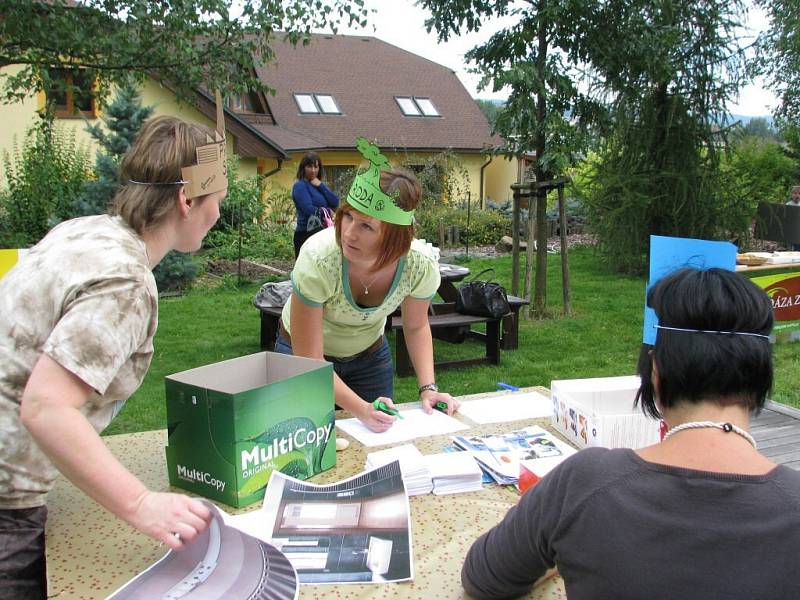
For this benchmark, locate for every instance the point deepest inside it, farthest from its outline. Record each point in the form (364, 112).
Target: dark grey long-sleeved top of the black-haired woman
(621, 528)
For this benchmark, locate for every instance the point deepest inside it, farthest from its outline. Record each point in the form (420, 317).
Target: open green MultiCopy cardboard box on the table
(231, 423)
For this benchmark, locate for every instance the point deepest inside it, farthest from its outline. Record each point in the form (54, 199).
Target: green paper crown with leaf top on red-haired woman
(365, 194)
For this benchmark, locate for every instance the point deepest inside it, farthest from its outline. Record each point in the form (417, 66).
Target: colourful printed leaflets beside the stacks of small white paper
(500, 455)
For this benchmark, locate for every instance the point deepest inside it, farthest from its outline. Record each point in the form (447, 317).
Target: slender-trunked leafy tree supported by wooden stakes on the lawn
(540, 58)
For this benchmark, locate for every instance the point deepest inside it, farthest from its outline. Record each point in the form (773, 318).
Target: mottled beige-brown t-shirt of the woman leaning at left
(85, 296)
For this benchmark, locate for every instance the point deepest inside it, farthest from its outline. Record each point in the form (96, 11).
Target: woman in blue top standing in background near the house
(310, 195)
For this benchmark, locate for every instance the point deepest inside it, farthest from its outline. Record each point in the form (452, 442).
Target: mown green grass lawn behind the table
(601, 339)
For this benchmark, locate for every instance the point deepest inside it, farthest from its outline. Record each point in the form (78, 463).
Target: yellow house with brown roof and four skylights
(327, 93)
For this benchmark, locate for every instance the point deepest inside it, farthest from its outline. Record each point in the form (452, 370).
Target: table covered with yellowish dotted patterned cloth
(91, 553)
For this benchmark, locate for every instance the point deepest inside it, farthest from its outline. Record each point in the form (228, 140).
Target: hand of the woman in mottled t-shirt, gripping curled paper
(173, 519)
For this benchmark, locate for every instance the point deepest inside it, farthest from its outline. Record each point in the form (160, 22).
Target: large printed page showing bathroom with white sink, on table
(354, 531)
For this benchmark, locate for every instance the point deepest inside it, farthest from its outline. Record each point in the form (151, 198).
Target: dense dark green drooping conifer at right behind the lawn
(676, 66)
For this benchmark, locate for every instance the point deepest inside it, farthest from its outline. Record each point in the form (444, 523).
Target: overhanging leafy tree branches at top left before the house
(191, 43)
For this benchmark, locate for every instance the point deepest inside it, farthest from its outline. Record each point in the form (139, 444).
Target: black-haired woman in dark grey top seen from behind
(702, 514)
